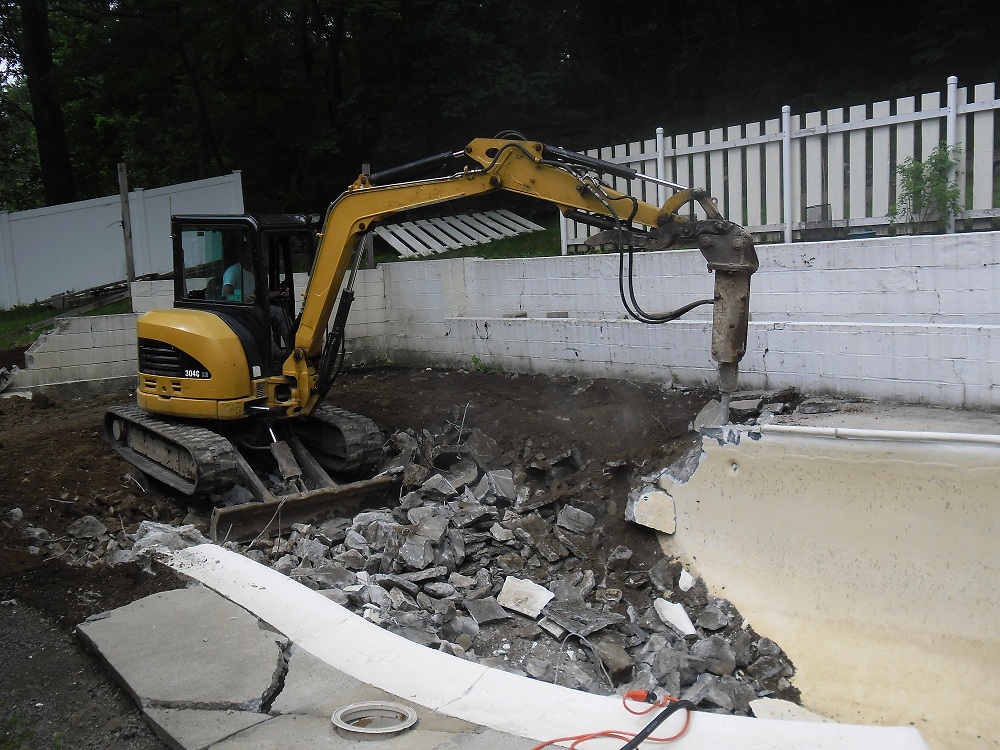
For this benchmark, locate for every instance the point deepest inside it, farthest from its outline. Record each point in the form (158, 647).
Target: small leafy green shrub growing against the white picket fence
(926, 191)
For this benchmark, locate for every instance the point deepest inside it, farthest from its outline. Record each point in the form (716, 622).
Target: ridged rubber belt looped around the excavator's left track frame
(214, 457)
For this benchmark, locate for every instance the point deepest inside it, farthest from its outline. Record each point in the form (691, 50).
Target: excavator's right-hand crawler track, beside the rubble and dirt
(342, 442)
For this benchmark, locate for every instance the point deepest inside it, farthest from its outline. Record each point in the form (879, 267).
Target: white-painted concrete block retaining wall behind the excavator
(912, 319)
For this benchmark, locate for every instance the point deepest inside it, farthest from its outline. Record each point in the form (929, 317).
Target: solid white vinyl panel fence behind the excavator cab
(77, 246)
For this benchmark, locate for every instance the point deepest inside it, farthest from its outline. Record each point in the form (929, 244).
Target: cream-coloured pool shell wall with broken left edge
(869, 555)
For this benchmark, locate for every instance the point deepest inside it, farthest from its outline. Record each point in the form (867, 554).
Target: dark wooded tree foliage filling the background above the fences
(299, 93)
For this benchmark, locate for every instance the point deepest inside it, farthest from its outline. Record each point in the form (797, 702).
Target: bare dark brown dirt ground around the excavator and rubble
(55, 468)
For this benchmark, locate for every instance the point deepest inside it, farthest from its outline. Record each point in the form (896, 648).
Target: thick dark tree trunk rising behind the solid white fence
(50, 131)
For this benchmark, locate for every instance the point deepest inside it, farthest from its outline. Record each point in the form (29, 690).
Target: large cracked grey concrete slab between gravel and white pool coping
(188, 648)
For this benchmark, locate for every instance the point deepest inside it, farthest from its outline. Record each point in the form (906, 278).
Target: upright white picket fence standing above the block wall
(834, 169)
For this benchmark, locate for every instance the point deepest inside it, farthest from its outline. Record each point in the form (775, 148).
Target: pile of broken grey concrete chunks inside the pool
(492, 557)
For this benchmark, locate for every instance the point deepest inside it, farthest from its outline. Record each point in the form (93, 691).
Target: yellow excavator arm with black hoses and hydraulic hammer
(567, 179)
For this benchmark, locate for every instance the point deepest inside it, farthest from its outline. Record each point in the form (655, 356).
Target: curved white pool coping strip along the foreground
(466, 690)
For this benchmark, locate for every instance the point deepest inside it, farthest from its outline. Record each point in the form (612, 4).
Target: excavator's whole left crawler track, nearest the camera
(191, 459)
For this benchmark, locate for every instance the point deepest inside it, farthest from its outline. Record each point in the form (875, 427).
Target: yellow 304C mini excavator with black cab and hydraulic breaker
(231, 382)
